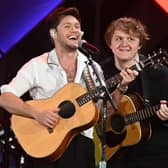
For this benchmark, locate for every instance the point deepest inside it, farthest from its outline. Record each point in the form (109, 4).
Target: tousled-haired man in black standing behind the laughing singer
(125, 37)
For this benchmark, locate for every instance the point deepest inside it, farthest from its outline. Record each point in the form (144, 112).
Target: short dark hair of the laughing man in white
(56, 16)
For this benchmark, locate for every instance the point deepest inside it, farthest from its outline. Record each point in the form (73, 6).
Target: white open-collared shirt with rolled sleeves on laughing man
(43, 76)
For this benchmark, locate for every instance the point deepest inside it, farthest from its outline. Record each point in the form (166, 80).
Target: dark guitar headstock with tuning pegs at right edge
(156, 58)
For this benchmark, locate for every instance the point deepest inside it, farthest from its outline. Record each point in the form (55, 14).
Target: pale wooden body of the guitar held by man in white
(40, 142)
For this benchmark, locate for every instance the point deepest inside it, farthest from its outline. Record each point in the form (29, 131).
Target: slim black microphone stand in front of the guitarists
(106, 97)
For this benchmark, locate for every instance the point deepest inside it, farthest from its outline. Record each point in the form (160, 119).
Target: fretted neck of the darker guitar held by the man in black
(141, 114)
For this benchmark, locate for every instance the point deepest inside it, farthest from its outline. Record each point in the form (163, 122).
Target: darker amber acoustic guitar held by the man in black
(128, 127)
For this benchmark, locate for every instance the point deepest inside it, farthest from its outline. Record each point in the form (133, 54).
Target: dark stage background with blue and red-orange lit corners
(23, 32)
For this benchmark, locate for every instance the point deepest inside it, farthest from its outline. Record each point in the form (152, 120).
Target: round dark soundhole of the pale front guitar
(67, 109)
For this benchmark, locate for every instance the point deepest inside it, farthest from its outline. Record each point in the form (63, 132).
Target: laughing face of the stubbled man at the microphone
(68, 33)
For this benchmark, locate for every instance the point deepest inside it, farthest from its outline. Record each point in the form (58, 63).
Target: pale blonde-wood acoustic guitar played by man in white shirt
(78, 112)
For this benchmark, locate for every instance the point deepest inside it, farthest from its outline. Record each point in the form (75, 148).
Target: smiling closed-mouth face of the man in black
(124, 46)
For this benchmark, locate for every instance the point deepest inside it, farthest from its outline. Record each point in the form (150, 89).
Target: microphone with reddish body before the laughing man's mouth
(87, 48)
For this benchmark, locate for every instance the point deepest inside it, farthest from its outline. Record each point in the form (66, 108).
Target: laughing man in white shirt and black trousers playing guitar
(46, 74)
